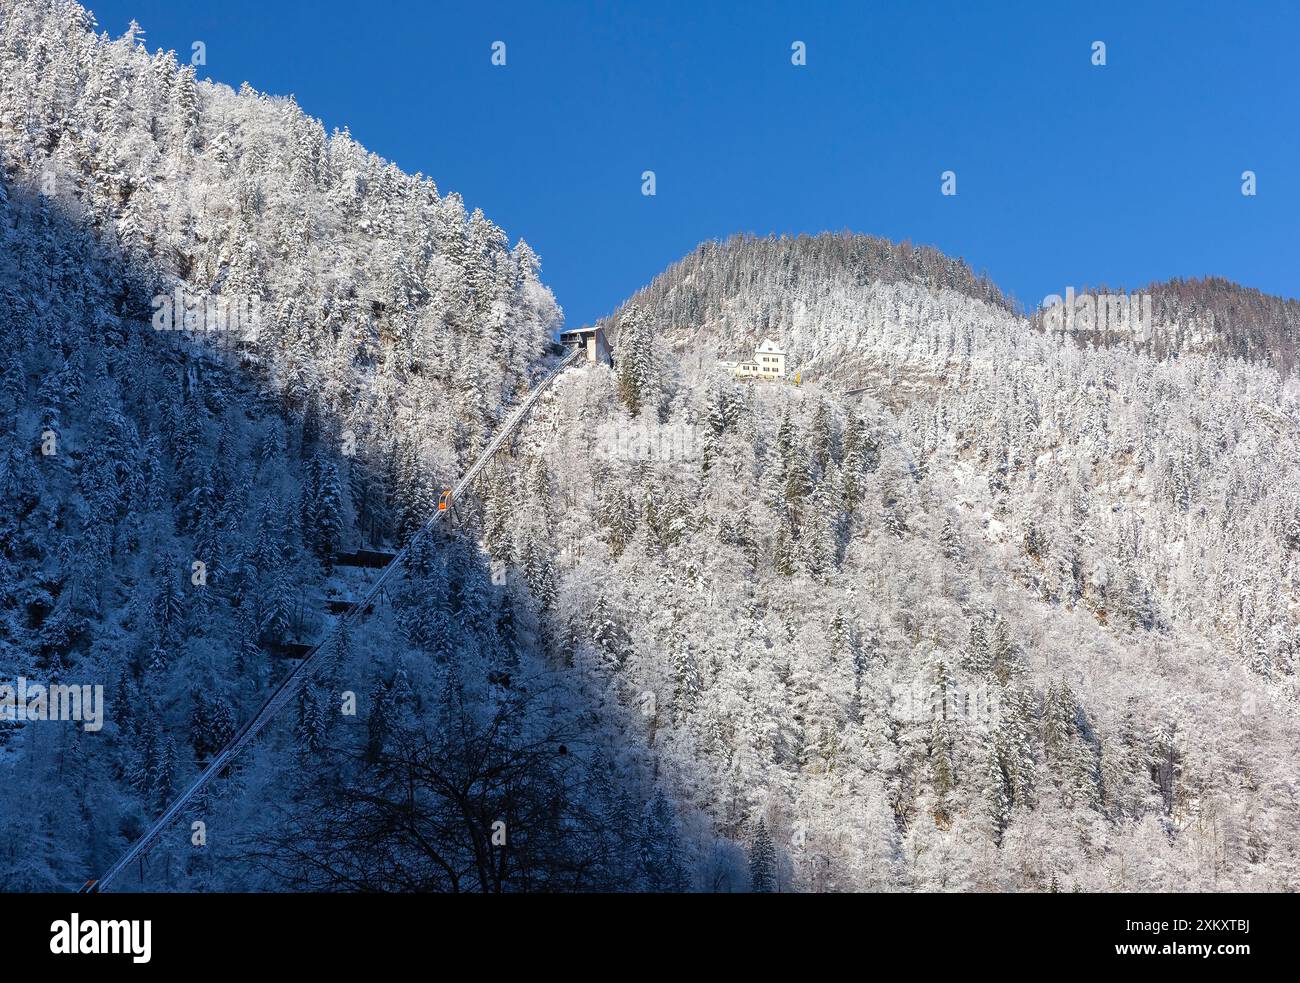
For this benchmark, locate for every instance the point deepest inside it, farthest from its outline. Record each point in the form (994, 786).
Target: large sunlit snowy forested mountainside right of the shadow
(1021, 616)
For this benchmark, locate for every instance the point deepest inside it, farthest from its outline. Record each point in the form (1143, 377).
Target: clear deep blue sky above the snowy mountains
(1068, 175)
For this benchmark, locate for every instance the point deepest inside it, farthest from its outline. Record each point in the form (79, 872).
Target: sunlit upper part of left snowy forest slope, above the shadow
(378, 296)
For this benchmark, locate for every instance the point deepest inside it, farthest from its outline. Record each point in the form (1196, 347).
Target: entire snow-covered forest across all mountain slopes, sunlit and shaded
(960, 605)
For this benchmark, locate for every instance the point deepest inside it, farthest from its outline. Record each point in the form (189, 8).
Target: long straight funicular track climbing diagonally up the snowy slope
(315, 660)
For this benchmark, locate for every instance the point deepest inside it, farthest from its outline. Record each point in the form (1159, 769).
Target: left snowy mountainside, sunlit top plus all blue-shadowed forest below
(175, 503)
